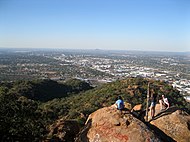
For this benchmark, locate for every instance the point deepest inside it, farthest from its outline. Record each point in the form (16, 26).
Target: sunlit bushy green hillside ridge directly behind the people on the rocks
(133, 90)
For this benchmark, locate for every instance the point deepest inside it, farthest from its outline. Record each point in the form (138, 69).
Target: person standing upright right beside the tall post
(153, 103)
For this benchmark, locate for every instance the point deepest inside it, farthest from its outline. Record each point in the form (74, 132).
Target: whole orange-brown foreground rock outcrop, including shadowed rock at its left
(110, 125)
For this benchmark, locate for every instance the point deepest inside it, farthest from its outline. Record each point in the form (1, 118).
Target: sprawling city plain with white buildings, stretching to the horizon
(96, 66)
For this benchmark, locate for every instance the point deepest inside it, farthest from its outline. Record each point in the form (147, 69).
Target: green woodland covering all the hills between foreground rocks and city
(29, 107)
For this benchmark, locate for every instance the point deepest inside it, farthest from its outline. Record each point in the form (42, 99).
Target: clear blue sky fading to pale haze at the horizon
(145, 25)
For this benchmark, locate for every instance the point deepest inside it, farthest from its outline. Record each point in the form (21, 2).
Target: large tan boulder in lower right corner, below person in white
(174, 123)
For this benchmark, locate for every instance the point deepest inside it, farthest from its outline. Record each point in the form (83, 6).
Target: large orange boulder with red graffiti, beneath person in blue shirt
(108, 124)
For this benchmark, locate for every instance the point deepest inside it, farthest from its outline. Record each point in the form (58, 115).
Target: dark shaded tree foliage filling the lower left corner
(19, 119)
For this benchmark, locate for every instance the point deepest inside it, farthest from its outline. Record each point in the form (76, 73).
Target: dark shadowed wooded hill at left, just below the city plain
(45, 90)
